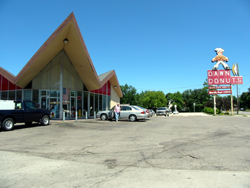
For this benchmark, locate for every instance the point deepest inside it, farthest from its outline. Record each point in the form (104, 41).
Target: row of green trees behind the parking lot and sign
(188, 101)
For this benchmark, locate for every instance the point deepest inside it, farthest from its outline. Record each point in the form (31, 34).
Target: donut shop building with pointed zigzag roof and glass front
(61, 76)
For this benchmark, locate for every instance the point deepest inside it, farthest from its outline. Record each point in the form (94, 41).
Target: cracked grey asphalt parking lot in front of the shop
(176, 151)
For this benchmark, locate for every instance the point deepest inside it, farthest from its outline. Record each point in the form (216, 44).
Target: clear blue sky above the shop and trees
(158, 45)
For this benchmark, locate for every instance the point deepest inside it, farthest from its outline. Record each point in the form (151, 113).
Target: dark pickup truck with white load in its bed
(12, 112)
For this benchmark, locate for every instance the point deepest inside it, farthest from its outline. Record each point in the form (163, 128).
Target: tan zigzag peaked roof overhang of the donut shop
(76, 51)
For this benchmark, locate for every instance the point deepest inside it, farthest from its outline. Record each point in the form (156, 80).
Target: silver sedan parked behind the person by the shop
(127, 112)
